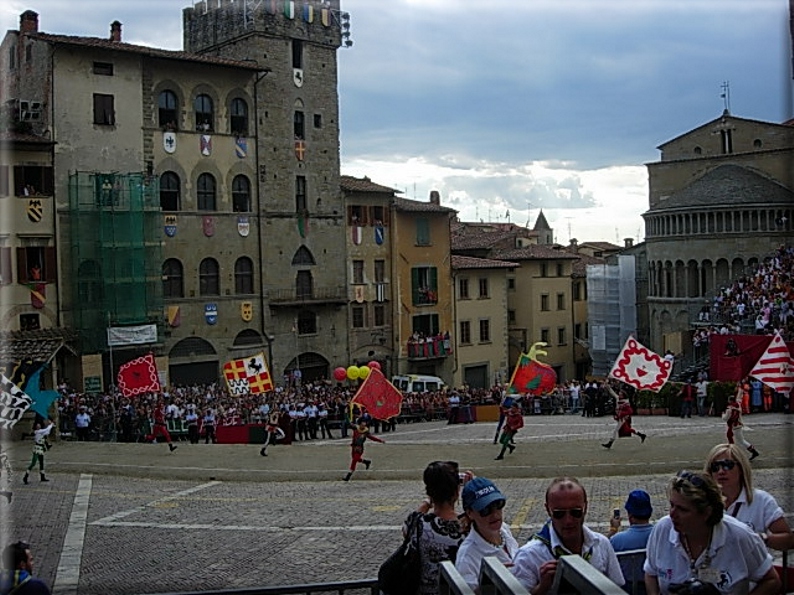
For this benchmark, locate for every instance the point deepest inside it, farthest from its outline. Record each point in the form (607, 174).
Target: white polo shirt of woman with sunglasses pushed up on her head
(735, 557)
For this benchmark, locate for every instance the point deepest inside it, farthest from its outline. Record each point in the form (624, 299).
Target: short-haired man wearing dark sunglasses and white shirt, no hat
(563, 534)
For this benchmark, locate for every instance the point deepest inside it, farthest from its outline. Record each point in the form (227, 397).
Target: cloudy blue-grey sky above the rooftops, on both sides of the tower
(512, 106)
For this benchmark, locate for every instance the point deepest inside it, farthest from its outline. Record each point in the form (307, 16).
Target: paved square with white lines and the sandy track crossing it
(135, 518)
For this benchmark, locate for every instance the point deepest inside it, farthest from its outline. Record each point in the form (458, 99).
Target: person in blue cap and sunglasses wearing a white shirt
(483, 504)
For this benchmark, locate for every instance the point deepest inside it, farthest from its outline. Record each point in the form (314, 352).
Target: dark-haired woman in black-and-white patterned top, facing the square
(439, 530)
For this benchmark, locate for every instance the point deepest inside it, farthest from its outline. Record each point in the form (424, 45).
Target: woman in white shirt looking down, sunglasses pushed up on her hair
(696, 542)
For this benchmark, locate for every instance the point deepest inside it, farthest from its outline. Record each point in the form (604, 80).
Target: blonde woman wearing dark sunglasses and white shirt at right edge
(731, 469)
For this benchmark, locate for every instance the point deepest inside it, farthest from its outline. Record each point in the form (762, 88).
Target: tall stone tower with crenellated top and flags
(300, 209)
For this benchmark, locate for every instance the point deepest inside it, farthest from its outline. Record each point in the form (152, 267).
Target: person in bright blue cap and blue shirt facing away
(639, 509)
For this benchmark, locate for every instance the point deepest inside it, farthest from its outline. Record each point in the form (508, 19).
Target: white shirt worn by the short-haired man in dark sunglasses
(596, 548)
